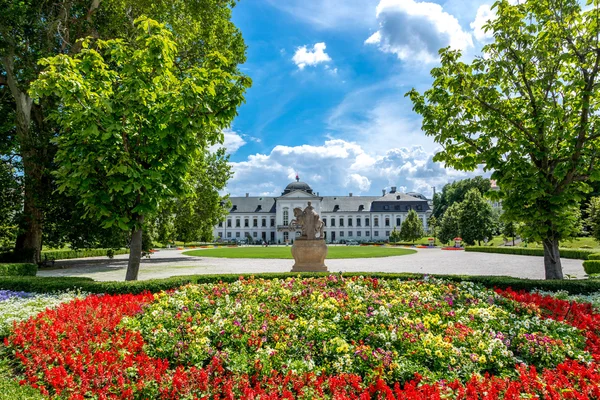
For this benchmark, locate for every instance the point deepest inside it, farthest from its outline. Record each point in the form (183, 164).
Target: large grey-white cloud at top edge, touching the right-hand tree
(415, 31)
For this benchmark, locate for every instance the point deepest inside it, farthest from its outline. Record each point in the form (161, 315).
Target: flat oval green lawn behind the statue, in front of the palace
(285, 252)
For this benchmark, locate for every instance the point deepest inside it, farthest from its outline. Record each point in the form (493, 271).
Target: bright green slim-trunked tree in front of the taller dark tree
(134, 122)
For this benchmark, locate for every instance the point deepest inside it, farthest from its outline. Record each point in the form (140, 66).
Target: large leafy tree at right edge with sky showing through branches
(528, 109)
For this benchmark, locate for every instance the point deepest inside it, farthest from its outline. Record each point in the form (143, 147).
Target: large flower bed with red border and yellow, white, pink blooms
(314, 338)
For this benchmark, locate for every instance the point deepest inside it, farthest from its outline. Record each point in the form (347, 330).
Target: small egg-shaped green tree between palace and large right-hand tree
(475, 218)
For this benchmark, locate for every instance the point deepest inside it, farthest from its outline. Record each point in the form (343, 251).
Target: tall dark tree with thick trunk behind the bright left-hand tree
(31, 30)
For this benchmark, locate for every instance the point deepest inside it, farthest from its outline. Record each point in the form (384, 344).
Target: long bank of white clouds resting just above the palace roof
(338, 167)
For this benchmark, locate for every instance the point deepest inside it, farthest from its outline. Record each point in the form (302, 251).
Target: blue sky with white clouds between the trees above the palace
(327, 100)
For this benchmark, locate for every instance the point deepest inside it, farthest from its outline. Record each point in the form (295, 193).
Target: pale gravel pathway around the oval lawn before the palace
(167, 263)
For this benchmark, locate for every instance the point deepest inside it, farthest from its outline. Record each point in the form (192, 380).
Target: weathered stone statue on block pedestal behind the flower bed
(309, 249)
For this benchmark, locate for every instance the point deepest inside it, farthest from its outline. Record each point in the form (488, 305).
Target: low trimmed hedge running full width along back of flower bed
(44, 285)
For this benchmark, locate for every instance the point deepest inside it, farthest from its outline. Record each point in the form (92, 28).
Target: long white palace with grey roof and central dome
(357, 218)
